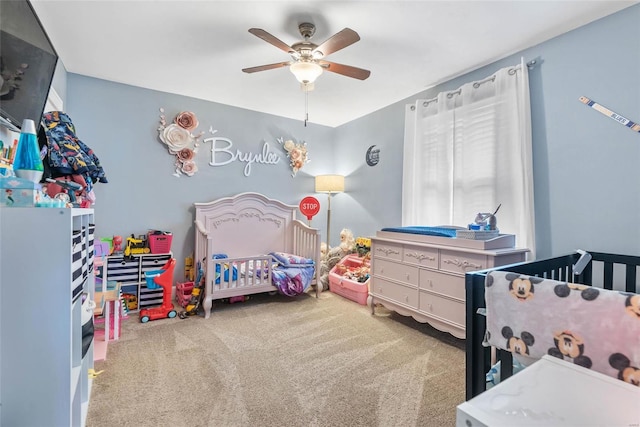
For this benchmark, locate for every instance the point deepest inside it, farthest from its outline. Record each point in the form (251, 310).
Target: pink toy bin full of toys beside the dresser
(350, 279)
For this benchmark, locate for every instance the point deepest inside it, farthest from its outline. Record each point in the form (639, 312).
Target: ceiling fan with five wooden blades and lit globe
(307, 61)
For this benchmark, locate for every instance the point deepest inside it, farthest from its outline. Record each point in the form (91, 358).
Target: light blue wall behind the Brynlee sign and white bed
(120, 122)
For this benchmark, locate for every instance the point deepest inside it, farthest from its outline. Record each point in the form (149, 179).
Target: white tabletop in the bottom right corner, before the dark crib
(554, 392)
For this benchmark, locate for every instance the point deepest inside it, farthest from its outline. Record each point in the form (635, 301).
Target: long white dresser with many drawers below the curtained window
(423, 276)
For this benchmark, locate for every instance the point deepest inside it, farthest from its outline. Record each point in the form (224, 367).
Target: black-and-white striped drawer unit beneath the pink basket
(129, 272)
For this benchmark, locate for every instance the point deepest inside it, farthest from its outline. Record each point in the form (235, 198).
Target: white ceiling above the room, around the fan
(198, 48)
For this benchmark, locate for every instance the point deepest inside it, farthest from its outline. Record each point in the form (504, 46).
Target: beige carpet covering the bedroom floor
(276, 361)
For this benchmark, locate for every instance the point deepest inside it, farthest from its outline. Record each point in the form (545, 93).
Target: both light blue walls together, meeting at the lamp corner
(586, 170)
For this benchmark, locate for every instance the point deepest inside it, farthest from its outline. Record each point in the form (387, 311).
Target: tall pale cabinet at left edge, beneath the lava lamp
(46, 254)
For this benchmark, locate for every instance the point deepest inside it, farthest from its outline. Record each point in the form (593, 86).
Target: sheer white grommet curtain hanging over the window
(468, 151)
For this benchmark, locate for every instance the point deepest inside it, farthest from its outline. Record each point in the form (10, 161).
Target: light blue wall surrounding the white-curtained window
(586, 166)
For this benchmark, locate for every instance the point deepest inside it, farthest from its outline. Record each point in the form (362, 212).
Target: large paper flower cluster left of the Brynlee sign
(181, 141)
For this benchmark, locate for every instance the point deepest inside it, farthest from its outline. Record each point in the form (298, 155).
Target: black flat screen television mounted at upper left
(27, 64)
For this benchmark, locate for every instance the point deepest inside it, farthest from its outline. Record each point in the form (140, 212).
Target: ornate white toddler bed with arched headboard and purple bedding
(250, 244)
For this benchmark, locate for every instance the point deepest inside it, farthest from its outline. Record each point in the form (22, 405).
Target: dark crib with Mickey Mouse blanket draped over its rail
(596, 294)
